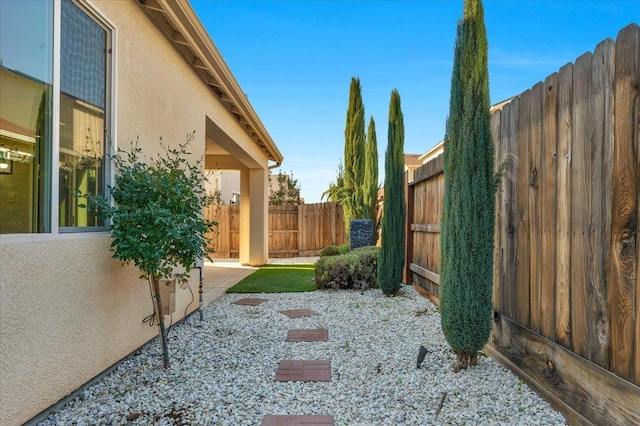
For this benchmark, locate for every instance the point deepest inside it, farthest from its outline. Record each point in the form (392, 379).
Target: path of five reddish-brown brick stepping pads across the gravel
(298, 370)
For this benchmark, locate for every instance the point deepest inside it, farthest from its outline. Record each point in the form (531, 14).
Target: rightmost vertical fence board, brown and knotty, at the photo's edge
(624, 258)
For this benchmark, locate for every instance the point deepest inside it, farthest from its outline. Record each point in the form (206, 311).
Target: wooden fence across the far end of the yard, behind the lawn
(301, 230)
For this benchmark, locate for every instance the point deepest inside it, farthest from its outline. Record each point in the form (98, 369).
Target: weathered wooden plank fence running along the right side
(566, 261)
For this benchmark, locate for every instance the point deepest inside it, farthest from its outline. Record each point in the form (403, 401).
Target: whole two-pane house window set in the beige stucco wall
(32, 155)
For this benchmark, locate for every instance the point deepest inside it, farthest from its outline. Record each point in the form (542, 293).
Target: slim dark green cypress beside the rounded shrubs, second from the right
(391, 257)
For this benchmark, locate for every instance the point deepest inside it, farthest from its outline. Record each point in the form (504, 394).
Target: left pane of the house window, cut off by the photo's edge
(26, 78)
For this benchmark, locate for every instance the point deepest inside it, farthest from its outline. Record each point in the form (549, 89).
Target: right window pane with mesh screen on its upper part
(83, 88)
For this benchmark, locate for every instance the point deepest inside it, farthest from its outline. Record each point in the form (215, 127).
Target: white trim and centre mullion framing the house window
(54, 233)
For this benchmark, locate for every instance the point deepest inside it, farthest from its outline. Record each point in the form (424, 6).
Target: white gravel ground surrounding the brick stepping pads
(223, 370)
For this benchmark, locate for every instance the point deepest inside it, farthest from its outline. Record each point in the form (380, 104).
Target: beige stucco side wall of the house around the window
(68, 310)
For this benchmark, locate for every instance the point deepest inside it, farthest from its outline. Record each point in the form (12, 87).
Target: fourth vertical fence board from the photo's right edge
(563, 223)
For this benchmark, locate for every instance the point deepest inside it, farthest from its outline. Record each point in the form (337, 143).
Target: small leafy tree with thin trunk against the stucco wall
(157, 220)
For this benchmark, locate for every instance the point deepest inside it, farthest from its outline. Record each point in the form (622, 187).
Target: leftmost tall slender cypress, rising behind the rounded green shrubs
(354, 143)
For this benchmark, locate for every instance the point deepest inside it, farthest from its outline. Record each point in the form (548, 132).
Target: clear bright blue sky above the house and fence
(295, 60)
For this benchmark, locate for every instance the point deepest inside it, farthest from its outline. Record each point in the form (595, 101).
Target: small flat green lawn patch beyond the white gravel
(278, 279)
